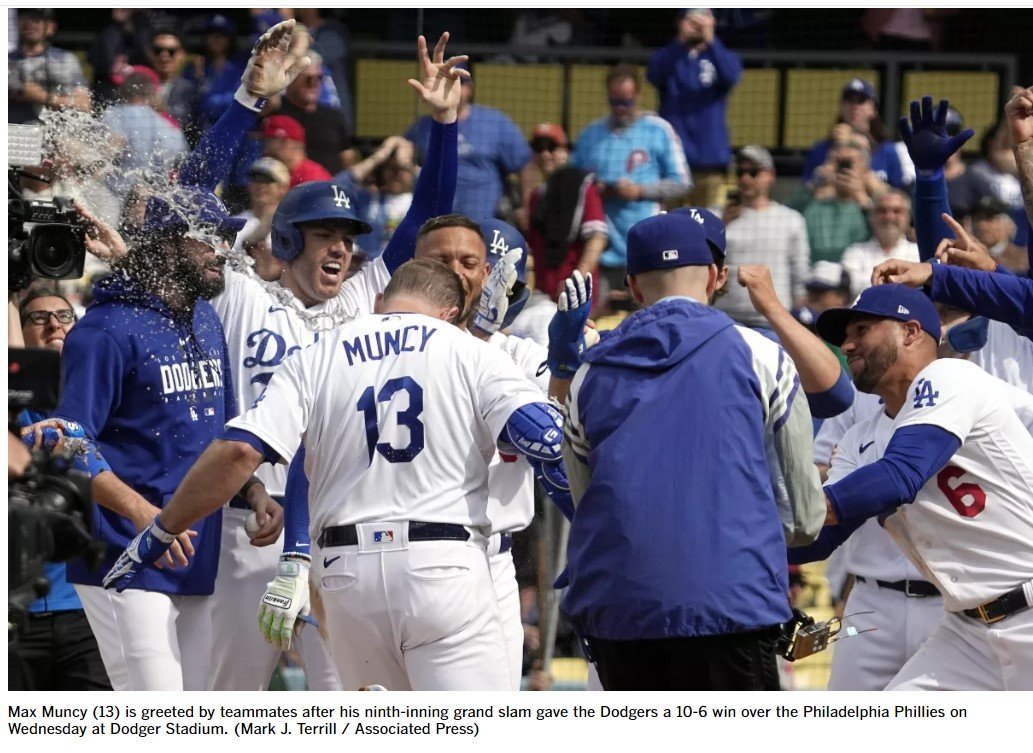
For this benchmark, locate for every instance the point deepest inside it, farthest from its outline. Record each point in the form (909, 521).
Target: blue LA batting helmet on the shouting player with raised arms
(311, 203)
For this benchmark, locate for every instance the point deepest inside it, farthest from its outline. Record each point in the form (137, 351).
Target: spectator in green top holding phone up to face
(835, 203)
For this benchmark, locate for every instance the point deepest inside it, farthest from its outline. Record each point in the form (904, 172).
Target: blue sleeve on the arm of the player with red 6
(915, 455)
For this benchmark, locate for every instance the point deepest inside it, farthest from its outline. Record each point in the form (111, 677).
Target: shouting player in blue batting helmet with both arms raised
(314, 234)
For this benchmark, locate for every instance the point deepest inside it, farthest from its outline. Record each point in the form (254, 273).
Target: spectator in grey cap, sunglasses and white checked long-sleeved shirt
(762, 232)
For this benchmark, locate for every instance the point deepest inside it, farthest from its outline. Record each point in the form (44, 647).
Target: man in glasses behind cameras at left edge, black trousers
(57, 649)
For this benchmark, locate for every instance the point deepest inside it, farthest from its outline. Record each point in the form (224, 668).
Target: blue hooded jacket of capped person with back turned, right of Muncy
(677, 535)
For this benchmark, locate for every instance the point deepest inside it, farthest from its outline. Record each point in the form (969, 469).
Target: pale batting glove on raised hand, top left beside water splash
(276, 60)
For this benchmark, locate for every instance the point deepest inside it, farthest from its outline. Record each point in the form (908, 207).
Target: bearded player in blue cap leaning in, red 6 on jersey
(948, 469)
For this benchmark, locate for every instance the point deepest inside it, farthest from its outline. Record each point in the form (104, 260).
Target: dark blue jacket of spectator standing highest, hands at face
(694, 93)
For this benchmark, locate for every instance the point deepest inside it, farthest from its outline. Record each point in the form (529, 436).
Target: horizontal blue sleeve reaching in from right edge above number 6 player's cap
(1005, 298)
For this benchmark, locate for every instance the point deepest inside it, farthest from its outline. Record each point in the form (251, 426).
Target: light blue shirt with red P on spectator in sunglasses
(646, 152)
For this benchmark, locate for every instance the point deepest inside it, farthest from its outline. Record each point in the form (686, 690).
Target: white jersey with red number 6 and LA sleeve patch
(971, 528)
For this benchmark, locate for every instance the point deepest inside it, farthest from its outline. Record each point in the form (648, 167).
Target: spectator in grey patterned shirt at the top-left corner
(41, 76)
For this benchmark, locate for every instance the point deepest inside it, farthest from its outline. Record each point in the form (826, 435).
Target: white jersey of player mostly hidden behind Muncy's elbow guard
(511, 482)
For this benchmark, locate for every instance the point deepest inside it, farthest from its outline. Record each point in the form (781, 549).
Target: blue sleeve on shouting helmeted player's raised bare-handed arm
(432, 197)
